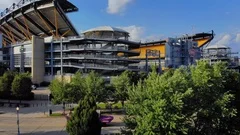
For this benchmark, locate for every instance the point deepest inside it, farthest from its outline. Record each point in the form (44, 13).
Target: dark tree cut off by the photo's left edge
(6, 84)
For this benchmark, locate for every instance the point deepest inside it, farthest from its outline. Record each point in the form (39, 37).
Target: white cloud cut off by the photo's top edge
(117, 6)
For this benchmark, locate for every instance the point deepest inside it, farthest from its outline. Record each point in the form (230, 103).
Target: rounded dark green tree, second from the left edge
(21, 86)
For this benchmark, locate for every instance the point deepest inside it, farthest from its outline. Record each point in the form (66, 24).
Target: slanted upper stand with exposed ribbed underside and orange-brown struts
(36, 18)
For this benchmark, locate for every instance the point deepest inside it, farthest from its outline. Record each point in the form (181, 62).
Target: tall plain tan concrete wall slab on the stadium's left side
(38, 66)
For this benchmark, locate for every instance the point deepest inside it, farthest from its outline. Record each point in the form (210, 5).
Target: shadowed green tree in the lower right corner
(211, 107)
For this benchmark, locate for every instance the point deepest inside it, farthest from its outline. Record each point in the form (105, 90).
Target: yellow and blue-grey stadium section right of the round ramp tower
(174, 52)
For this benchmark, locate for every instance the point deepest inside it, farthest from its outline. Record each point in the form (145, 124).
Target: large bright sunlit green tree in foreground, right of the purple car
(155, 105)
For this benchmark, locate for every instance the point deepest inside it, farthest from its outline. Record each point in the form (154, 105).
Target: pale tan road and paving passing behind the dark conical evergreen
(34, 120)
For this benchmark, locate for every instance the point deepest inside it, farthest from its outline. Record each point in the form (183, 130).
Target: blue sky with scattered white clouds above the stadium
(148, 20)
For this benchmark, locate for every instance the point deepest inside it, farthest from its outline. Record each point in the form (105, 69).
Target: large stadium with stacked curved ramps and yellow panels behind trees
(38, 37)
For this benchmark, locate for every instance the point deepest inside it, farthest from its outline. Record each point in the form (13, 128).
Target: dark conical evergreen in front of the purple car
(85, 120)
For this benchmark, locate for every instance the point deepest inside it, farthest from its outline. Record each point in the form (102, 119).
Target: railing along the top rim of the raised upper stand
(15, 6)
